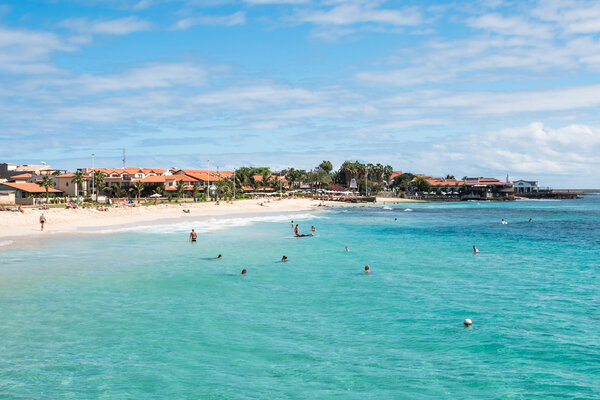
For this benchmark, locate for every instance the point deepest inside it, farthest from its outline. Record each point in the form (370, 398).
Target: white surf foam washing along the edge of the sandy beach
(207, 225)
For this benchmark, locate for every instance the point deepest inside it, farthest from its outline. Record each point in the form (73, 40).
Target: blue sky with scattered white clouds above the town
(469, 88)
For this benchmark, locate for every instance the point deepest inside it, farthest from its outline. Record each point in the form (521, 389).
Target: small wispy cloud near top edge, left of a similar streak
(120, 26)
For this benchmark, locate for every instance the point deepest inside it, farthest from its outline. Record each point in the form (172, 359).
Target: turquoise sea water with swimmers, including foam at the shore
(144, 314)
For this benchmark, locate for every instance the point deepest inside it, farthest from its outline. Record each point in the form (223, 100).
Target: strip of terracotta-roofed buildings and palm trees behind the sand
(29, 185)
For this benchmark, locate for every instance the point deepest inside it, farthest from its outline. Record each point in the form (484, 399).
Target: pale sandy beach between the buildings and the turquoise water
(16, 226)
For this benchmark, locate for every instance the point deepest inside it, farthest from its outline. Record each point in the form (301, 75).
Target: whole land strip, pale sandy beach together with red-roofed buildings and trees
(96, 198)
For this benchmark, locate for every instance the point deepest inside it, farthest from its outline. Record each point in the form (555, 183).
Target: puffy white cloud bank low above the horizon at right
(527, 151)
